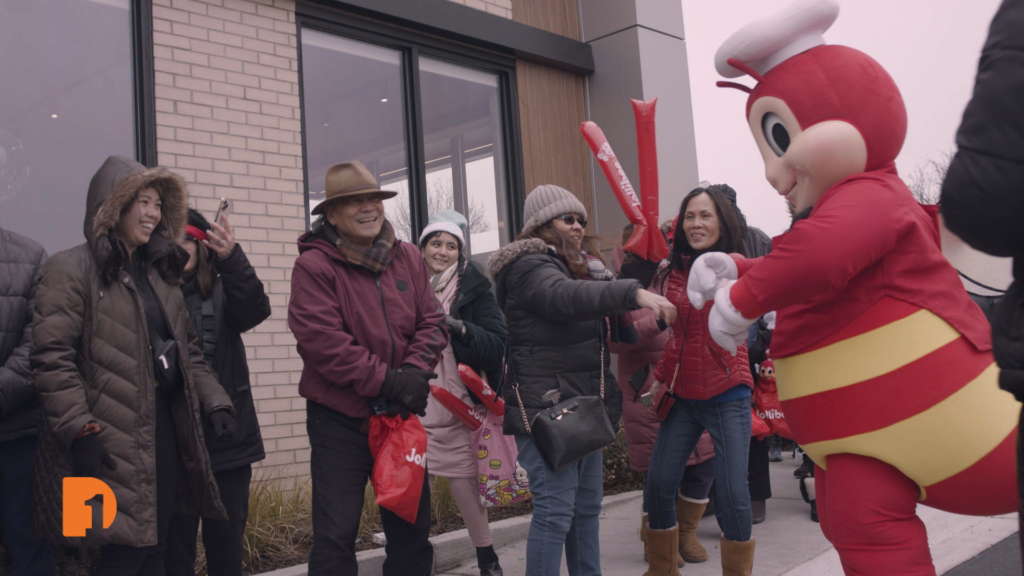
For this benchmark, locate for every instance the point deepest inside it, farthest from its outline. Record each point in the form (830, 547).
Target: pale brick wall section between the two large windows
(229, 122)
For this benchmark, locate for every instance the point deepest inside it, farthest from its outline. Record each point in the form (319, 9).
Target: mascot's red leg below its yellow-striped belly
(868, 512)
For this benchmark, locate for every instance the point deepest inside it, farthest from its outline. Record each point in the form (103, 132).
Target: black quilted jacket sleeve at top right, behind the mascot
(984, 194)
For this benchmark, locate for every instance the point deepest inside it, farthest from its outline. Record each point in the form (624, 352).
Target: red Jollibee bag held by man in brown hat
(400, 451)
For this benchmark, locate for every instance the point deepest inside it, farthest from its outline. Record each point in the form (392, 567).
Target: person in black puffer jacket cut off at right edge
(984, 195)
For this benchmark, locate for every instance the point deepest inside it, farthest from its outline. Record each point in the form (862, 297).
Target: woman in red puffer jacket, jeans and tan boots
(704, 388)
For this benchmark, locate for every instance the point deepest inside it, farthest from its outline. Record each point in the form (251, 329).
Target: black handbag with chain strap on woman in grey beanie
(571, 430)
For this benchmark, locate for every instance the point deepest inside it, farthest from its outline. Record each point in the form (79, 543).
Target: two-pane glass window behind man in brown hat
(360, 104)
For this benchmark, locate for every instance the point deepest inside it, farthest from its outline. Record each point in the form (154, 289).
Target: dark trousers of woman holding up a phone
(223, 540)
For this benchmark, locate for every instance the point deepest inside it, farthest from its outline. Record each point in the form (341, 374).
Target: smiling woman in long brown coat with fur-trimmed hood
(122, 383)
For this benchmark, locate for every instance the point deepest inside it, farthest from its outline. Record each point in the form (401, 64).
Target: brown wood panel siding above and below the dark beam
(552, 105)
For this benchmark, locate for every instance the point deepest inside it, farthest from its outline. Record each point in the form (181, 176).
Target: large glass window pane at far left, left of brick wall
(66, 105)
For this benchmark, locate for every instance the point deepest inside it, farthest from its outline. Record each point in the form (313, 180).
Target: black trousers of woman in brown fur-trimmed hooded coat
(116, 560)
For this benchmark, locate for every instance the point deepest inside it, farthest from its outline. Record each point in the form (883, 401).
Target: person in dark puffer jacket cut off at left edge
(21, 260)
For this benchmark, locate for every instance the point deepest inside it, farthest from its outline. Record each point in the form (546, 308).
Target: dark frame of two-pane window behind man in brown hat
(411, 46)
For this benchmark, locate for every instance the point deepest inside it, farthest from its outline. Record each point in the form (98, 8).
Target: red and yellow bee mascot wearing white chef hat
(883, 363)
